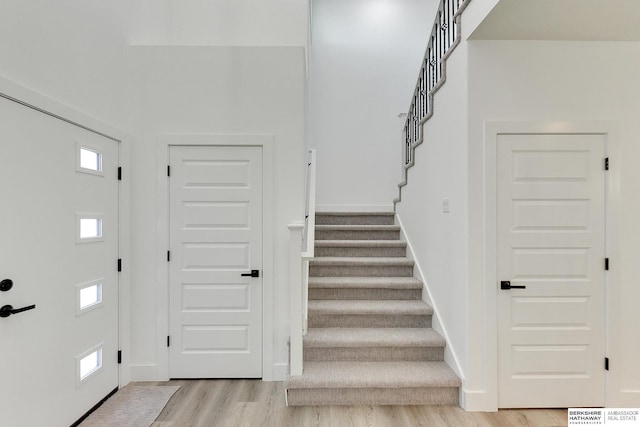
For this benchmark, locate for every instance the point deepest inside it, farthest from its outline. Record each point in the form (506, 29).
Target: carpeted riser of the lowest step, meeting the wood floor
(374, 396)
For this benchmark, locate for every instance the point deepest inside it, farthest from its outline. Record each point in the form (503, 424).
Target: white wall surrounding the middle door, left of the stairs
(221, 90)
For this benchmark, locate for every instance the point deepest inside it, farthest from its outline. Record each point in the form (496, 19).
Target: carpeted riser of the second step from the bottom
(373, 354)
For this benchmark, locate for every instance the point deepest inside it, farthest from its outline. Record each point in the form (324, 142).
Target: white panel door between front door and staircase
(216, 241)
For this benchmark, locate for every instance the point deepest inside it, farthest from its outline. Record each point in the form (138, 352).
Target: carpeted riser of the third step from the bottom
(368, 321)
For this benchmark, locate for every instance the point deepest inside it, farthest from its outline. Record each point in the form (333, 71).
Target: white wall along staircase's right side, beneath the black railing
(439, 240)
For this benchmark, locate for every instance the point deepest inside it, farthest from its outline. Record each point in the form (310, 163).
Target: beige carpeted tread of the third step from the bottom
(362, 307)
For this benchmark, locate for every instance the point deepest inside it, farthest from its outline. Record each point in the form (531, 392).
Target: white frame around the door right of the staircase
(612, 199)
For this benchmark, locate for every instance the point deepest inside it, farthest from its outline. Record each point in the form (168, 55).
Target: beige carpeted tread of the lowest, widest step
(374, 375)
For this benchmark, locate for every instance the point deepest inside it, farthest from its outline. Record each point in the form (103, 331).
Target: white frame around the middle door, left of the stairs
(165, 141)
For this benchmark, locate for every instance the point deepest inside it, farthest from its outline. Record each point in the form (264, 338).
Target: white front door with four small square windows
(59, 234)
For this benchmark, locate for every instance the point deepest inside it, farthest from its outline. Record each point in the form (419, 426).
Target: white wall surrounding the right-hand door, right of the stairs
(563, 81)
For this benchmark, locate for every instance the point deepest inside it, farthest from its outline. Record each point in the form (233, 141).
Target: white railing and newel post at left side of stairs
(301, 244)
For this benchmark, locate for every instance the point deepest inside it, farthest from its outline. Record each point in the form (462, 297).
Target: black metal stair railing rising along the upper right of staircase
(445, 36)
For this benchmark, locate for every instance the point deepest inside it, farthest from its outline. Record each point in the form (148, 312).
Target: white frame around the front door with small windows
(49, 106)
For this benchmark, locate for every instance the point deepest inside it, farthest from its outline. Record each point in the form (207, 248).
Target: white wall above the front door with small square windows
(69, 50)
